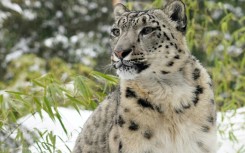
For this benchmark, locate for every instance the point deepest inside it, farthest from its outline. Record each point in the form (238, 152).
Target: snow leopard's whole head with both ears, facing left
(145, 41)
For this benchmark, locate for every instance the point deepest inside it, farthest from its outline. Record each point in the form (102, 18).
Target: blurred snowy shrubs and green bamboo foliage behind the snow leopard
(54, 54)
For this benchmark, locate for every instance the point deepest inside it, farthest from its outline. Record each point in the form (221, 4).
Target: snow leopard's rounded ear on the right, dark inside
(176, 11)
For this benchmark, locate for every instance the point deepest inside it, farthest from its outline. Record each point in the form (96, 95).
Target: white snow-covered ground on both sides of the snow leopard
(73, 121)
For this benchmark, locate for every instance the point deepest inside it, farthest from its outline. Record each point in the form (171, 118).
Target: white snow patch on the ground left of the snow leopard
(72, 120)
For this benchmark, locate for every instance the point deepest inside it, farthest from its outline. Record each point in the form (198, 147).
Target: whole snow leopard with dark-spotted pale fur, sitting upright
(165, 100)
